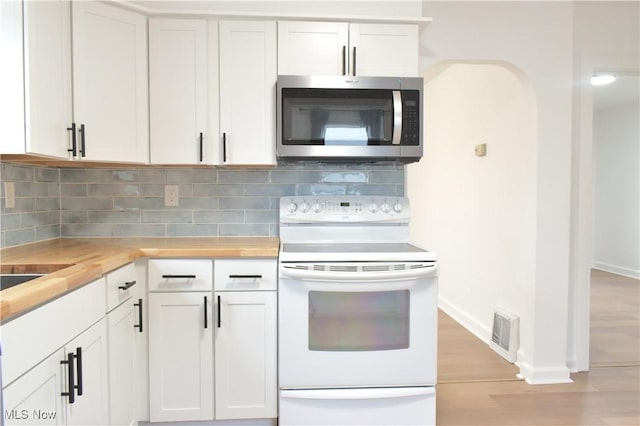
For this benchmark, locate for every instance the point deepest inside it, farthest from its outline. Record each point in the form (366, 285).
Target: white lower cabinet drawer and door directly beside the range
(246, 339)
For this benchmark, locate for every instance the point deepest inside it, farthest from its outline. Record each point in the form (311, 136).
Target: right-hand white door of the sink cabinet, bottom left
(92, 406)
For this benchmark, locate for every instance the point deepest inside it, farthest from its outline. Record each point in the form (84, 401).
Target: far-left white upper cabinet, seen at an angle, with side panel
(36, 78)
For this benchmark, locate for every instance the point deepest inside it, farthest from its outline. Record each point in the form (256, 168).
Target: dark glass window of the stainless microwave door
(345, 117)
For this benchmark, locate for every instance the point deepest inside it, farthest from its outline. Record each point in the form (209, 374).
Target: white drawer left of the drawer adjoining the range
(180, 275)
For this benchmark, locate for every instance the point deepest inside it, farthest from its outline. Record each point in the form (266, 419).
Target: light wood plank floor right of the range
(478, 387)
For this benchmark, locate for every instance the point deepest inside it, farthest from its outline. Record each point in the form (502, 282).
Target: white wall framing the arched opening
(536, 38)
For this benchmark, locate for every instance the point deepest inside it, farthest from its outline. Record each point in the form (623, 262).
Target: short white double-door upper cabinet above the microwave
(326, 48)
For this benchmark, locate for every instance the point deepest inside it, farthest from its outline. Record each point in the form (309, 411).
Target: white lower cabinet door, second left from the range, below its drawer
(180, 356)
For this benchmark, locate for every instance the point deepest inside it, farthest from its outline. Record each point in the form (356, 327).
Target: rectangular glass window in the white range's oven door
(358, 321)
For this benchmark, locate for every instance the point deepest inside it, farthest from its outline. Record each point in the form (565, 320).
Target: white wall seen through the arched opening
(478, 213)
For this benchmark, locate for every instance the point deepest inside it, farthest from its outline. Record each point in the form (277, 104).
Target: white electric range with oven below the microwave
(357, 314)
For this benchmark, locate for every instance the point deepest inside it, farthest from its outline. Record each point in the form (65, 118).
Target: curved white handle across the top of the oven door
(369, 277)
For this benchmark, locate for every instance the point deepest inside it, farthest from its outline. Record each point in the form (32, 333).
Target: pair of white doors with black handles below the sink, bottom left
(68, 387)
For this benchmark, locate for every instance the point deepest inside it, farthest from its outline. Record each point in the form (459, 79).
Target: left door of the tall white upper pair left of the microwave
(178, 91)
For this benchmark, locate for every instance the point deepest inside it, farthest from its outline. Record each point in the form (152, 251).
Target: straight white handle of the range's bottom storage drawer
(357, 393)
